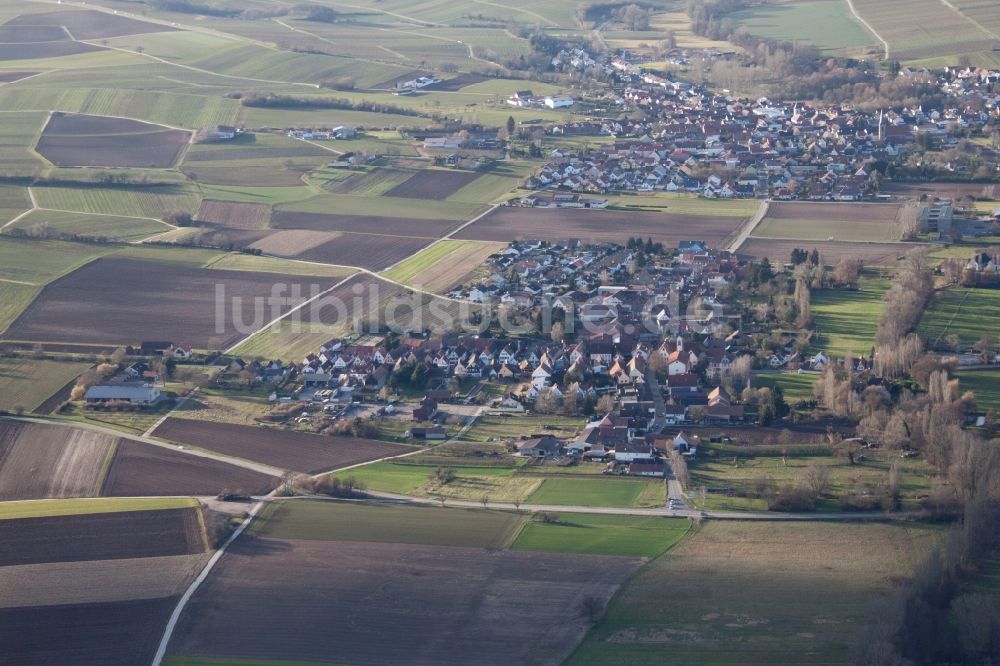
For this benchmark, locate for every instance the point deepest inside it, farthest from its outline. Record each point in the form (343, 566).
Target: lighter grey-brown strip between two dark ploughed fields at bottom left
(98, 581)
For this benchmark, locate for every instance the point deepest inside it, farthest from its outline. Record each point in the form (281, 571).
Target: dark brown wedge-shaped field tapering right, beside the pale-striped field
(142, 470)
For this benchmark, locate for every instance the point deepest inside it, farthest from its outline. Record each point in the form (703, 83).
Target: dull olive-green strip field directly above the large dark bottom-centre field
(338, 521)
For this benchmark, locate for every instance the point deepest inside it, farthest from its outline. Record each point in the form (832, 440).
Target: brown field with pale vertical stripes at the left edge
(40, 461)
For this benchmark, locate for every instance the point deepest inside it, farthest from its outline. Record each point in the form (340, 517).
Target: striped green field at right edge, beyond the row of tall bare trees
(967, 313)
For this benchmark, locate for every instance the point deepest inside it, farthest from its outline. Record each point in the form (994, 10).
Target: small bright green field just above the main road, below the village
(599, 492)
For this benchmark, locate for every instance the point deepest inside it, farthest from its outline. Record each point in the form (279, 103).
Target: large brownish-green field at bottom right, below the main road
(756, 593)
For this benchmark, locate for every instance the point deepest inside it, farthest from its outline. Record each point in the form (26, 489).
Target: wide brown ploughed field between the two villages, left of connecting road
(595, 226)
